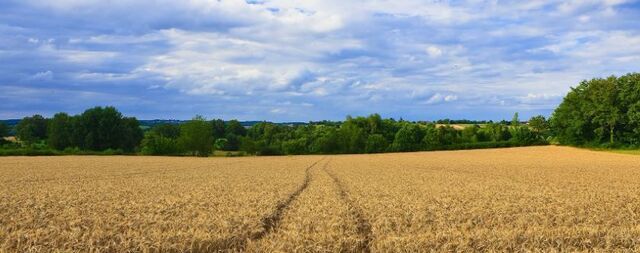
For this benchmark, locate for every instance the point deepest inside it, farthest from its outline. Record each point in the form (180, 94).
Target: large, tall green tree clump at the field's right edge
(599, 110)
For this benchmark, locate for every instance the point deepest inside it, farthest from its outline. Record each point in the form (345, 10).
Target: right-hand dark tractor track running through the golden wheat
(363, 225)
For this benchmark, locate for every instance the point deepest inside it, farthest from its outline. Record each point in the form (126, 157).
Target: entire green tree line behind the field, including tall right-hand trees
(598, 112)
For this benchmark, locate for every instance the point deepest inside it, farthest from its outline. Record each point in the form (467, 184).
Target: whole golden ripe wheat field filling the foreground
(533, 199)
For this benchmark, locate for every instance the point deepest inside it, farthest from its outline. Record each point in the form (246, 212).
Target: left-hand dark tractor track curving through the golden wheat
(269, 223)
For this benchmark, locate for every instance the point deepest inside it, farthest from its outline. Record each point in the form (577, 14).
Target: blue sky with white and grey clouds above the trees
(308, 60)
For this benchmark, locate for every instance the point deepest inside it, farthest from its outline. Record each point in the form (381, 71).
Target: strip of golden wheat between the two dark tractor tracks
(319, 220)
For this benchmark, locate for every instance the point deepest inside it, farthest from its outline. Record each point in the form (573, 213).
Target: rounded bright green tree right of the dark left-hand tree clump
(196, 136)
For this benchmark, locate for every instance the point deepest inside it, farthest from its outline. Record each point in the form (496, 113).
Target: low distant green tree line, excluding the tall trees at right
(104, 128)
